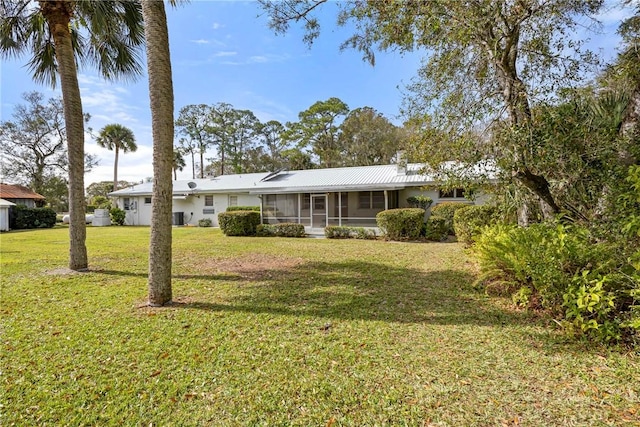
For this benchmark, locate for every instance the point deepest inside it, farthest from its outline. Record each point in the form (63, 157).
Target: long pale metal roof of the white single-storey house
(310, 180)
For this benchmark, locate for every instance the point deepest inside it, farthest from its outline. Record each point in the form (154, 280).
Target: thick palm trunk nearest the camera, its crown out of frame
(161, 98)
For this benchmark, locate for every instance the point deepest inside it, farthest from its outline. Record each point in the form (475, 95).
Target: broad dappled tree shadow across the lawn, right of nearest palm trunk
(358, 290)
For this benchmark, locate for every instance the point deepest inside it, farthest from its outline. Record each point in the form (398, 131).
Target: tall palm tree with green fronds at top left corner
(59, 34)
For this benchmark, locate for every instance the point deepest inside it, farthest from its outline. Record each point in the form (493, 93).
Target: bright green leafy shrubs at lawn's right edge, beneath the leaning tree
(562, 269)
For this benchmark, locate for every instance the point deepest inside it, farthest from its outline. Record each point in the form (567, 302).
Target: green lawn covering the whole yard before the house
(270, 331)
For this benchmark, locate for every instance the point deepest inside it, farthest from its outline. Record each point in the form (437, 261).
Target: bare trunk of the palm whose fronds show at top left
(58, 16)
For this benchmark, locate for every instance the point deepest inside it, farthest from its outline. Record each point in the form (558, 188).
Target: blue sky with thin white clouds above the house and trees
(223, 51)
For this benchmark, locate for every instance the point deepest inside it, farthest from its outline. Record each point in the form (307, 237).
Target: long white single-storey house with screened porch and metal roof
(316, 198)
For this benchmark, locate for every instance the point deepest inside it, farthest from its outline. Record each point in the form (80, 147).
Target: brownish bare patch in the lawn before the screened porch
(253, 266)
